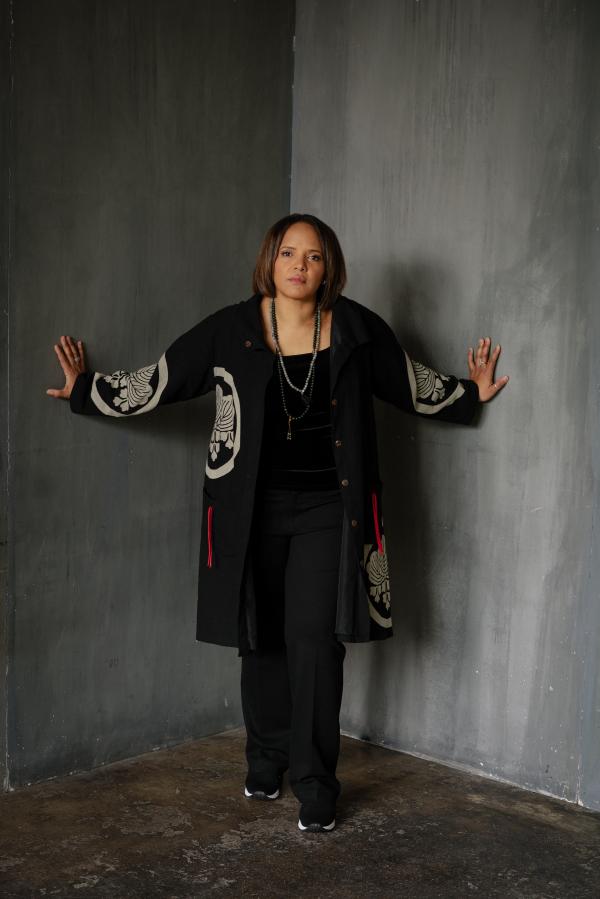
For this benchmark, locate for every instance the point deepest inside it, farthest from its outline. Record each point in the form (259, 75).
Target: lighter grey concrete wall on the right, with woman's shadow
(455, 151)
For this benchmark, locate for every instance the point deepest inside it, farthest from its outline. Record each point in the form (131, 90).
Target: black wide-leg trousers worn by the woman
(291, 685)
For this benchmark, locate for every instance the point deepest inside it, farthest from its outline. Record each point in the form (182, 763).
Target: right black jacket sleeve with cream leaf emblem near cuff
(415, 388)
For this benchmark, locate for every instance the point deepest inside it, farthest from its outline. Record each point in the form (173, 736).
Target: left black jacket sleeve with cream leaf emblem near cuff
(183, 371)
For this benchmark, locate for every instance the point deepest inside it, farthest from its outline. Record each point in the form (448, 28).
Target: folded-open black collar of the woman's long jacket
(348, 330)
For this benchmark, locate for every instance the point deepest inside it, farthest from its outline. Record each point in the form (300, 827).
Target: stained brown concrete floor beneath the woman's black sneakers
(175, 824)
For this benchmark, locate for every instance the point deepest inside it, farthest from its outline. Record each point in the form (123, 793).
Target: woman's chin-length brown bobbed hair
(335, 267)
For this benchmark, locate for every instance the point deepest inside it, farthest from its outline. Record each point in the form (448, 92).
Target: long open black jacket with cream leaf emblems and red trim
(226, 352)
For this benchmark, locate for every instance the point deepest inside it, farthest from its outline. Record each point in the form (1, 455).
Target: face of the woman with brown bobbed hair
(299, 267)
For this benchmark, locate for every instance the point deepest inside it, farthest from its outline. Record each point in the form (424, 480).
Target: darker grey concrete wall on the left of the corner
(149, 150)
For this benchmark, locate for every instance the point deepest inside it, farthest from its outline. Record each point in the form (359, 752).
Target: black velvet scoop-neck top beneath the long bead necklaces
(306, 462)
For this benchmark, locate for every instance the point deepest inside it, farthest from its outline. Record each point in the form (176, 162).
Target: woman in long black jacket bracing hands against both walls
(292, 553)
